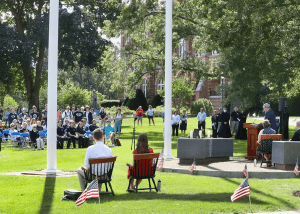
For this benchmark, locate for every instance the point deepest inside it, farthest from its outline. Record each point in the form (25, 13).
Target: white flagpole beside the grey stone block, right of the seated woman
(168, 81)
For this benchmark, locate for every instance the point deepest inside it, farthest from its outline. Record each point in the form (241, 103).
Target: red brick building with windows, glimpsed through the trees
(204, 88)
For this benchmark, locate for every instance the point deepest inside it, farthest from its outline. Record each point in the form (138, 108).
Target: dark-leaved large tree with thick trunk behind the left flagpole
(26, 38)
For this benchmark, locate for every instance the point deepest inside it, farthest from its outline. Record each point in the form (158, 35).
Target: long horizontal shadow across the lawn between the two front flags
(204, 197)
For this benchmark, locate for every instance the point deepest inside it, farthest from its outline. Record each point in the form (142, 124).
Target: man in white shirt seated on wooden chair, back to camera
(98, 150)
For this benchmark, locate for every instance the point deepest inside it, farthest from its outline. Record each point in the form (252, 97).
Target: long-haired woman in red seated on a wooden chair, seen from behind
(142, 147)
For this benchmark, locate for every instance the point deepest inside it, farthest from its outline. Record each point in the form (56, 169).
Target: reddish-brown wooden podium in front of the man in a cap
(252, 137)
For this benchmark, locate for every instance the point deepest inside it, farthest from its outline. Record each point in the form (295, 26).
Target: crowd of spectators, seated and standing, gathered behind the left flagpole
(72, 126)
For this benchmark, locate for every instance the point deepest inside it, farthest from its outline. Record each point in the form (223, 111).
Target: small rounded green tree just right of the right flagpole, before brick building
(182, 91)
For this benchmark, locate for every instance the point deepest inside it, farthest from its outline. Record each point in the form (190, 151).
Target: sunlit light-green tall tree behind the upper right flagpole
(141, 24)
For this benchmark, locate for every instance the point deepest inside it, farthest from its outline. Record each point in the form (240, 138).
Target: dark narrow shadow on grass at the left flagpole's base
(47, 195)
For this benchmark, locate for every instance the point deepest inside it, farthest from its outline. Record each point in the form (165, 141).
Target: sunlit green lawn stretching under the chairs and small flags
(180, 193)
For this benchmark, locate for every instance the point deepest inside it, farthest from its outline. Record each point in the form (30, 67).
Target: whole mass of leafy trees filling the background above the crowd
(259, 42)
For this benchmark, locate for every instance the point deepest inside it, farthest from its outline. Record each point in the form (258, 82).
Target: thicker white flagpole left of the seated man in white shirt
(52, 86)
